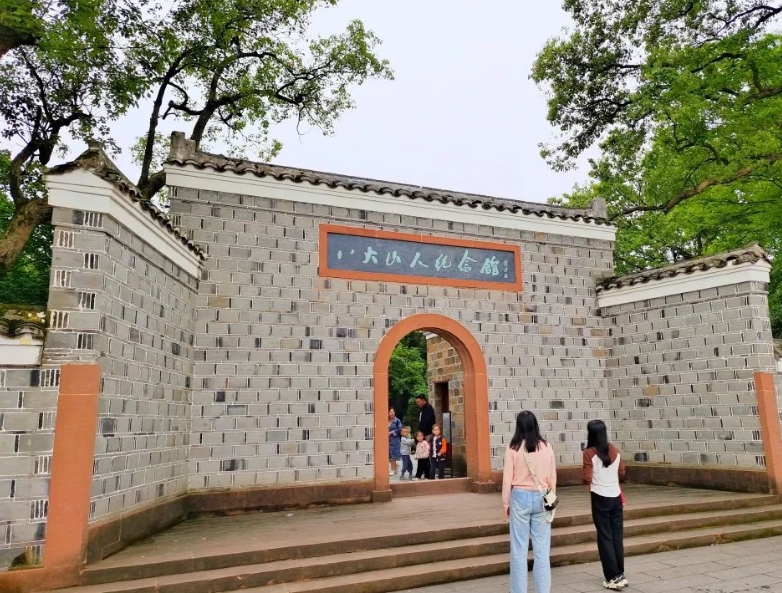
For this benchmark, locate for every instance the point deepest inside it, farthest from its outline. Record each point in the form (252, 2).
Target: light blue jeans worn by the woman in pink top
(526, 518)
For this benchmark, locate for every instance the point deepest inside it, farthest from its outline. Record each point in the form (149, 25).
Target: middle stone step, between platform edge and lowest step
(332, 565)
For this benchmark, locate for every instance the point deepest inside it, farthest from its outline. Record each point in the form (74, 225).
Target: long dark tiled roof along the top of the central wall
(183, 152)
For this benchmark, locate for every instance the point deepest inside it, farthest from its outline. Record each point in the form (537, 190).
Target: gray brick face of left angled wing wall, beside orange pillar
(121, 303)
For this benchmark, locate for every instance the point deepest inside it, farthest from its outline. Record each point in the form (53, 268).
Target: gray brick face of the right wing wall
(680, 372)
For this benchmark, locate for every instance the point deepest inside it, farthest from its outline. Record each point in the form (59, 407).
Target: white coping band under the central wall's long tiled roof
(191, 177)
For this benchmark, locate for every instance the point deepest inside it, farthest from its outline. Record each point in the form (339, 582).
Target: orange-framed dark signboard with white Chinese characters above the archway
(381, 253)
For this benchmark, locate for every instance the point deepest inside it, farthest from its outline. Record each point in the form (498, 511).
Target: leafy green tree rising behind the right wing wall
(684, 100)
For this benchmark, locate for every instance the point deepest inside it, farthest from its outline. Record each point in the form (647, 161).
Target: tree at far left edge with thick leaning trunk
(46, 92)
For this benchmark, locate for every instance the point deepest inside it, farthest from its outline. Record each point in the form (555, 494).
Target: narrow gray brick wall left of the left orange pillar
(28, 399)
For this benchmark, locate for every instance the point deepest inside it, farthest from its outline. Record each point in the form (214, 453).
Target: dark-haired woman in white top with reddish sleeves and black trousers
(602, 469)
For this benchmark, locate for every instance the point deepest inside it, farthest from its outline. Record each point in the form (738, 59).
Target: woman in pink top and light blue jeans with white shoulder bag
(523, 503)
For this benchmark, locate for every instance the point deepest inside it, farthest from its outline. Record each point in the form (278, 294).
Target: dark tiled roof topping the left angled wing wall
(95, 160)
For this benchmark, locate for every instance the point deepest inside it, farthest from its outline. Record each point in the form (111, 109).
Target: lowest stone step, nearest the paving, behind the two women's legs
(407, 576)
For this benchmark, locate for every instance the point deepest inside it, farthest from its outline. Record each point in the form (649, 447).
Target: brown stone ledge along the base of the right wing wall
(710, 477)
